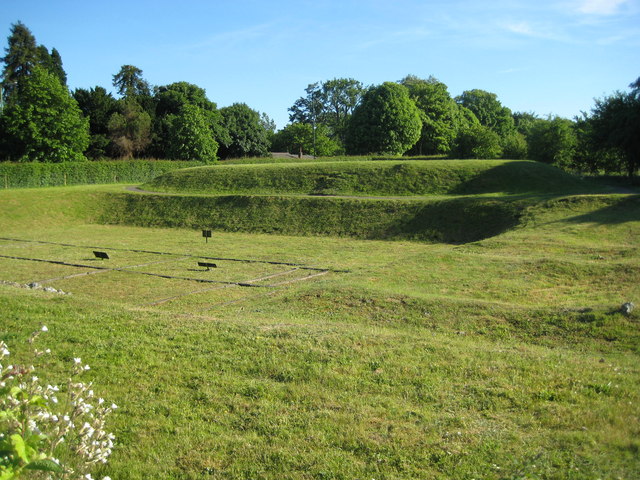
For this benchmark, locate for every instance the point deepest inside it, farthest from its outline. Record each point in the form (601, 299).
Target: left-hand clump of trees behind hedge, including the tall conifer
(41, 120)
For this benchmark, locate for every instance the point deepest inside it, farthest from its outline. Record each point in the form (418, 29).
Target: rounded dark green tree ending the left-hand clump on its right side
(248, 134)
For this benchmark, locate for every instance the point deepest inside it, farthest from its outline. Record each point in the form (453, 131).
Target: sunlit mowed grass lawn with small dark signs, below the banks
(500, 359)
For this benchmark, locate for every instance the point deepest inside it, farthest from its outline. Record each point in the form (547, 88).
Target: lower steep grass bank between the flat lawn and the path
(451, 221)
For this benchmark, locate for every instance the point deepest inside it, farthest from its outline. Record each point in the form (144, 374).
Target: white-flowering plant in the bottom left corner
(50, 432)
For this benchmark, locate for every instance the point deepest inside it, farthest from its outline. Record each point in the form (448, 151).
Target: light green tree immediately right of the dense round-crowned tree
(438, 112)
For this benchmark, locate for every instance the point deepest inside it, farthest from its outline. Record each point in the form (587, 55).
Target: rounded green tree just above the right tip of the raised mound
(553, 141)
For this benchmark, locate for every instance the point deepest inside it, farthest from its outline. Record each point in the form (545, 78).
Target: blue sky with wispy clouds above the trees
(549, 57)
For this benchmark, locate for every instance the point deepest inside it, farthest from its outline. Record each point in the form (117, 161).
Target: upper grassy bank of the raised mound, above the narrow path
(379, 178)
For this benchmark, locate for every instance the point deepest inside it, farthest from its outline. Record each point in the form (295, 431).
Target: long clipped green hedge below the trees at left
(23, 175)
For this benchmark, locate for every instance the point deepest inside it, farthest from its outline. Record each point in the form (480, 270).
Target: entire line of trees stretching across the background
(42, 120)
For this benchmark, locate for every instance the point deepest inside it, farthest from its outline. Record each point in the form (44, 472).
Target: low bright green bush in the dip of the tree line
(298, 138)
